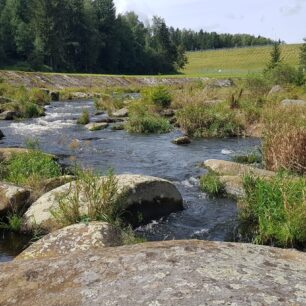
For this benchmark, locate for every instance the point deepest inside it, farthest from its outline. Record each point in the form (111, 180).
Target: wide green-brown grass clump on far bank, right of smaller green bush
(209, 121)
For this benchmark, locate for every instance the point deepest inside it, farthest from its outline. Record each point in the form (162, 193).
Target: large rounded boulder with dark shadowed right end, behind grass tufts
(144, 196)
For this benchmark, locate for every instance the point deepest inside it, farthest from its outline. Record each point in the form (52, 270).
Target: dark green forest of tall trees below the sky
(88, 36)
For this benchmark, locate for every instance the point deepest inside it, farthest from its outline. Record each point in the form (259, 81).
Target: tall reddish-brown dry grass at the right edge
(284, 138)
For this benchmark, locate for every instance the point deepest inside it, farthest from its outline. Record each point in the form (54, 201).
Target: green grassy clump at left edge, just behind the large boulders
(27, 168)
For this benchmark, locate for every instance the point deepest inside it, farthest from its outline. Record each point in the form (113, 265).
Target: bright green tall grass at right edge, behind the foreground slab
(274, 211)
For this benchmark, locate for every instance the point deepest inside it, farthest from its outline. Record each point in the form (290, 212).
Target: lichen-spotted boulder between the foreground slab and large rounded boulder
(77, 237)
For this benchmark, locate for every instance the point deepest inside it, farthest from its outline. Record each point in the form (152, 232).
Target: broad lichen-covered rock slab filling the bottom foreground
(160, 273)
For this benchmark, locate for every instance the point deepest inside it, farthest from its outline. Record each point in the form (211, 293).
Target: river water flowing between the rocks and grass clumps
(58, 133)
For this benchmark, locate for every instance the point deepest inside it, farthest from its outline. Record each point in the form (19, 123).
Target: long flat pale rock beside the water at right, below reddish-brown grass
(227, 168)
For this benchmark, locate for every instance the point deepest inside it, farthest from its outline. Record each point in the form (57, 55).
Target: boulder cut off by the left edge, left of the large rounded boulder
(13, 198)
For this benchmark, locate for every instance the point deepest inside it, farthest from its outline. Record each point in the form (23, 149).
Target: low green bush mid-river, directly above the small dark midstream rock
(148, 124)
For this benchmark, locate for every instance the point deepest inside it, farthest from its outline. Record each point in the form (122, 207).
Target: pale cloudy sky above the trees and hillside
(276, 19)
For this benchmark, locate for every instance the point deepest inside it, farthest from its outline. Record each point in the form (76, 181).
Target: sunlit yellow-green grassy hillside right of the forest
(236, 62)
